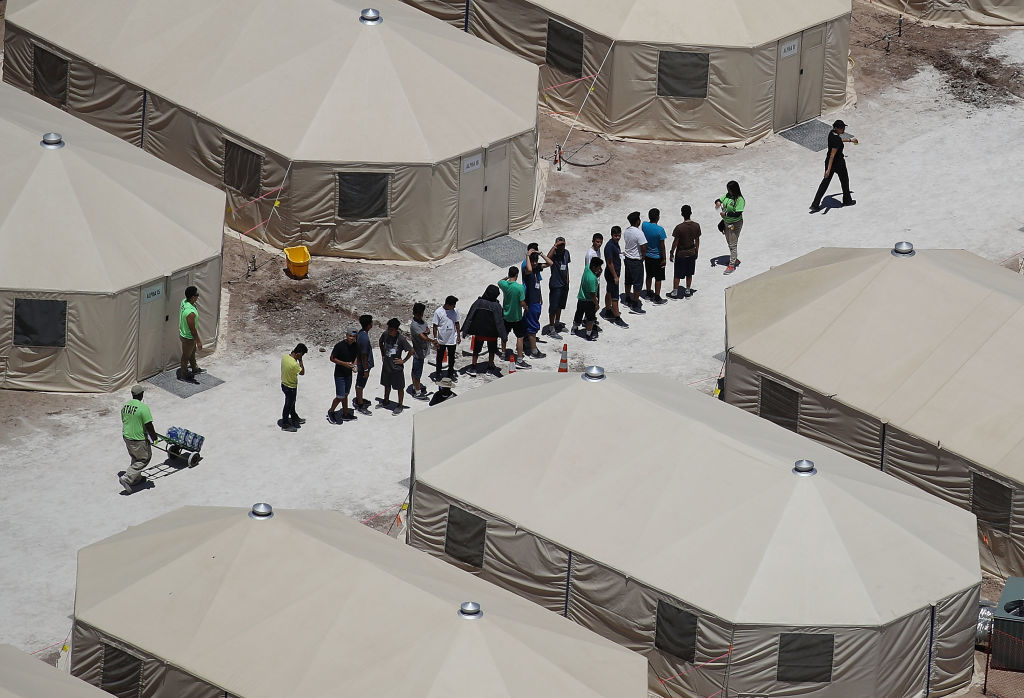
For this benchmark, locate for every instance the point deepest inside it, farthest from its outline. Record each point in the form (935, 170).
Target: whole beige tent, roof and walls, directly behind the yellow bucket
(399, 140)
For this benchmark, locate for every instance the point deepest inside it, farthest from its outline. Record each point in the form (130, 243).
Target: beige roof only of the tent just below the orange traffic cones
(702, 503)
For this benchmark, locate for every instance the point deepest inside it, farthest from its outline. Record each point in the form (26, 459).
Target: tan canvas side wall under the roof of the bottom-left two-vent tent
(159, 680)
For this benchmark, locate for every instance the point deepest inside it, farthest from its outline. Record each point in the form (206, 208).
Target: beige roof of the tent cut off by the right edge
(914, 342)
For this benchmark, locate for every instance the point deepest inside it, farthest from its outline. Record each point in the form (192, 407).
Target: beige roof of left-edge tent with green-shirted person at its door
(98, 215)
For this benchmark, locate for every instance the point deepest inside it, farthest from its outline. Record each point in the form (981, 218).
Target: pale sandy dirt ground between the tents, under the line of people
(938, 119)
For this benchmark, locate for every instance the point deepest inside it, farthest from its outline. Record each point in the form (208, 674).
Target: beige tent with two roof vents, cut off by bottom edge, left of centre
(206, 602)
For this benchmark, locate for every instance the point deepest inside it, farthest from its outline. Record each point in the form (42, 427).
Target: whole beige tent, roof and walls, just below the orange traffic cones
(688, 537)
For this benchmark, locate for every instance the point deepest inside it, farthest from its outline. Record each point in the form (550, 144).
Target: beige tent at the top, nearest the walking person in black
(713, 71)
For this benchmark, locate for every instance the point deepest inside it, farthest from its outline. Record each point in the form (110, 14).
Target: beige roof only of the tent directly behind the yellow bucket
(313, 83)
